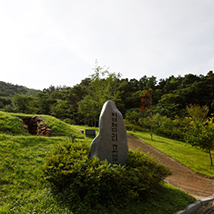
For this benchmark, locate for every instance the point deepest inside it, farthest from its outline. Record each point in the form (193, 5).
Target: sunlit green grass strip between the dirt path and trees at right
(194, 158)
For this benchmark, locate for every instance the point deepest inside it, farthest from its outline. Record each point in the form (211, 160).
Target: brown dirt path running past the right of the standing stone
(182, 178)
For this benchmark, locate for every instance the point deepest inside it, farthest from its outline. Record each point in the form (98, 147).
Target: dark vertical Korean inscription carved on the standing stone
(114, 138)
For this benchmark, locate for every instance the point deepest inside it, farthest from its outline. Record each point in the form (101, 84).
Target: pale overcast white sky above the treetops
(57, 42)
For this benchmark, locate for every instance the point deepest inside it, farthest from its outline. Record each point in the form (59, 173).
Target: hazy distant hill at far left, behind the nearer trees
(8, 89)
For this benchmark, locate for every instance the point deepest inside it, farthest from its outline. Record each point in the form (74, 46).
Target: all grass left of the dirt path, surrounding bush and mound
(23, 191)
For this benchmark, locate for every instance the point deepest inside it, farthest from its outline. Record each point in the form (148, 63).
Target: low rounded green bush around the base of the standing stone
(85, 181)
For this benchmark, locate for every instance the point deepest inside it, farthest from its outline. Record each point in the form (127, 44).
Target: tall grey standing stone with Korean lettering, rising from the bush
(111, 142)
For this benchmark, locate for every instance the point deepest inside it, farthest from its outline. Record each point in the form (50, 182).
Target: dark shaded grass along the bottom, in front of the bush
(167, 200)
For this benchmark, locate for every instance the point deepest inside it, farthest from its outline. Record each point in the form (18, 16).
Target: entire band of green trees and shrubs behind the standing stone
(180, 107)
